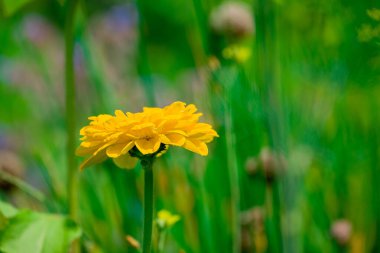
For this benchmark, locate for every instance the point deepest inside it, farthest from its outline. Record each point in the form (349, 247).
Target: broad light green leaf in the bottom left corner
(34, 232)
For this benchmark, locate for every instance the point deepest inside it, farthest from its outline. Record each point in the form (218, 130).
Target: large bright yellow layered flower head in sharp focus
(128, 136)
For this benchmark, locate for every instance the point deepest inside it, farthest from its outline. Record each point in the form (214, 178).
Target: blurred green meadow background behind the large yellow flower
(292, 88)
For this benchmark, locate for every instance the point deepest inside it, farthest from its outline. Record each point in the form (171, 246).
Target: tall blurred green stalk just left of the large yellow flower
(72, 174)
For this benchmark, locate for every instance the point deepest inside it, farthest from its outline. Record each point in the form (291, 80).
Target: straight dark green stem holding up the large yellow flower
(148, 204)
